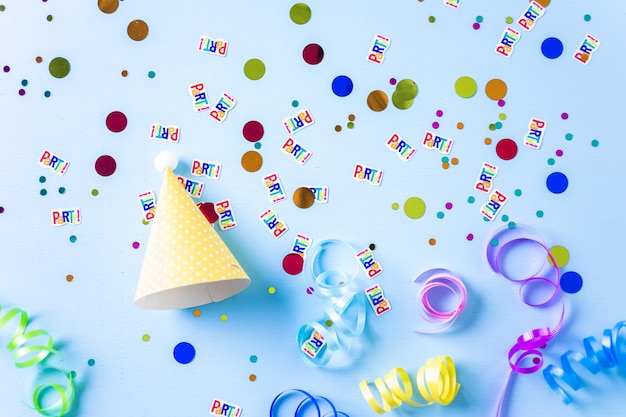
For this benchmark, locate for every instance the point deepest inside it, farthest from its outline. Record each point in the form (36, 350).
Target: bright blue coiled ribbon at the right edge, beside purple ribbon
(609, 353)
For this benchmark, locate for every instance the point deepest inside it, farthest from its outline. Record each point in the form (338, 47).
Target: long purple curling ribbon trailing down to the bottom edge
(503, 245)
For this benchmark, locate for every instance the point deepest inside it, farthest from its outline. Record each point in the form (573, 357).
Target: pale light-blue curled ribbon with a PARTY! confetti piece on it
(316, 341)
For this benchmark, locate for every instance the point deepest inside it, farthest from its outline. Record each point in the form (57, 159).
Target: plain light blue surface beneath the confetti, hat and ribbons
(93, 317)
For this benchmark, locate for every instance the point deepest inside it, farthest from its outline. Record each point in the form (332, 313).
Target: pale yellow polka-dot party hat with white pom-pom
(186, 263)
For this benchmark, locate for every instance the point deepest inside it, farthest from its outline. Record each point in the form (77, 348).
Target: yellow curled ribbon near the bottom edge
(436, 383)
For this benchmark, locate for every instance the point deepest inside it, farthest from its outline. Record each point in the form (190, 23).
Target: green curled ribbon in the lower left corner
(26, 356)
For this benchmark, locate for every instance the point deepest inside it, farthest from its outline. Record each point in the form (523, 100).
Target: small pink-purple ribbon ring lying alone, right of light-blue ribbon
(435, 279)
